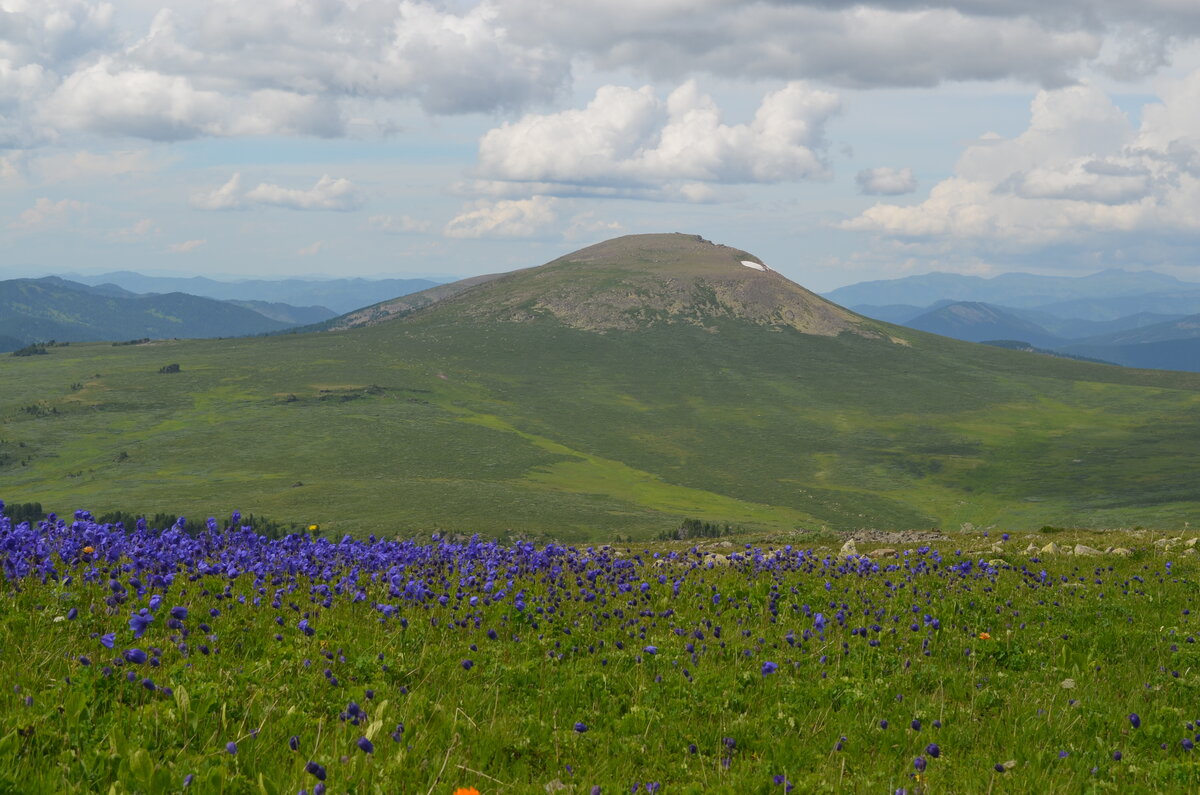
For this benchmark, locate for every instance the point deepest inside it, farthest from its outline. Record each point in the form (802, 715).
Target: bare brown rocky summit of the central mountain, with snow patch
(628, 284)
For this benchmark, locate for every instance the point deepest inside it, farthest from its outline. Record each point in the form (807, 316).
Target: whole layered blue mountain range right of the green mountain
(1133, 319)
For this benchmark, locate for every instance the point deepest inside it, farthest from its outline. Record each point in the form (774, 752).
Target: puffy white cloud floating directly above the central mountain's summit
(629, 139)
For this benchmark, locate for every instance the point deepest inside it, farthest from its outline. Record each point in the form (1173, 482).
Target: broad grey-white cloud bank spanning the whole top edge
(291, 68)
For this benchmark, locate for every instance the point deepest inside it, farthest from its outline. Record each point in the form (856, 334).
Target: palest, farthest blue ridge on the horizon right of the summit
(1023, 291)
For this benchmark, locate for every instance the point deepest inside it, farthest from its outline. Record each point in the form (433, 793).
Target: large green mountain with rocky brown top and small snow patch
(611, 393)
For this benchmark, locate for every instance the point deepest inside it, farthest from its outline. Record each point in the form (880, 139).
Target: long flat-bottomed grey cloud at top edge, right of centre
(861, 45)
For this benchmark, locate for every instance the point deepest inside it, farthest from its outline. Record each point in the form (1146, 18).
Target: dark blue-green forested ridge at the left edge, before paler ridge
(34, 310)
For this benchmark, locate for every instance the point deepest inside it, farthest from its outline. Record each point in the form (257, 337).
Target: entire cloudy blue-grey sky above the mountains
(839, 142)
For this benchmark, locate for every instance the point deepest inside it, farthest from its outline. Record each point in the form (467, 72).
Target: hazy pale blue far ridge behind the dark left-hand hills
(339, 295)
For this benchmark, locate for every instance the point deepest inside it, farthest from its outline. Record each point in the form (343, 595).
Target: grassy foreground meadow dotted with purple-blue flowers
(152, 661)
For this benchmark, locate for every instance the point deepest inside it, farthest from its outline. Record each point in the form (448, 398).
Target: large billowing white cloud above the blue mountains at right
(1079, 171)
